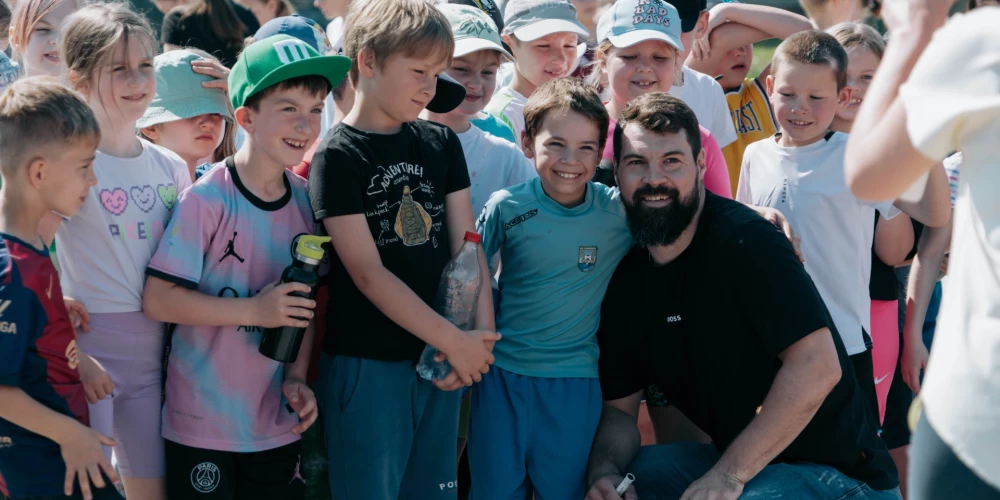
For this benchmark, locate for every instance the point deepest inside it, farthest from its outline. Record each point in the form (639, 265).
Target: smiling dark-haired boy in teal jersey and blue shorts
(560, 238)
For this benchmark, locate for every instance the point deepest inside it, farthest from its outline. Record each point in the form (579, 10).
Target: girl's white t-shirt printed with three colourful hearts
(105, 248)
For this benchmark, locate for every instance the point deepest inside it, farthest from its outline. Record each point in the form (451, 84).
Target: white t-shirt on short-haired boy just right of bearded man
(807, 185)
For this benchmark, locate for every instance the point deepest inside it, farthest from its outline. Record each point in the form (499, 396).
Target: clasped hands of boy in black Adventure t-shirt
(470, 356)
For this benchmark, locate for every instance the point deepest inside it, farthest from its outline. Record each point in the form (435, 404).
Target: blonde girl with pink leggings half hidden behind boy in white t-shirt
(893, 237)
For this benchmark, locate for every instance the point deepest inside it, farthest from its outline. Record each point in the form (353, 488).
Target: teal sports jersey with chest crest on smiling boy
(556, 264)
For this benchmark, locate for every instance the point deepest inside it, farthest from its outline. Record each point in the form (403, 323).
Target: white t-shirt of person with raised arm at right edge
(952, 101)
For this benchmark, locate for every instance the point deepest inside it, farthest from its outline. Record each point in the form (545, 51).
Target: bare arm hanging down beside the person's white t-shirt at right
(924, 273)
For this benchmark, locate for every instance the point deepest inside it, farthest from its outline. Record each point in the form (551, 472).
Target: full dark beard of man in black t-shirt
(661, 226)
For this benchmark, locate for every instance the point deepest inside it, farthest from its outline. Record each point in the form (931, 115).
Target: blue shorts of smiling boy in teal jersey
(532, 434)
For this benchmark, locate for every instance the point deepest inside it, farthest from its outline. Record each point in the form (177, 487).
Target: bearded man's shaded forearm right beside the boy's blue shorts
(615, 445)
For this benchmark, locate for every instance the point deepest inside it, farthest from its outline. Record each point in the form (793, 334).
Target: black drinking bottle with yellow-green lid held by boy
(282, 343)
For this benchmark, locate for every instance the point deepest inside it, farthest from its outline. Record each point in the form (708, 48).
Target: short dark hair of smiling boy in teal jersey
(565, 94)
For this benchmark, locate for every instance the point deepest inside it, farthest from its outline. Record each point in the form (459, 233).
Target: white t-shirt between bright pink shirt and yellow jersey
(705, 97)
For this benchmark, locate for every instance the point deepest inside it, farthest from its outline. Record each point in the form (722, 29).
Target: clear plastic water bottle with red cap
(457, 298)
